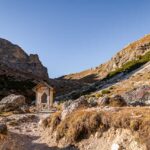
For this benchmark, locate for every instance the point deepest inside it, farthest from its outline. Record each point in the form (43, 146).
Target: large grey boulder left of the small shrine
(12, 102)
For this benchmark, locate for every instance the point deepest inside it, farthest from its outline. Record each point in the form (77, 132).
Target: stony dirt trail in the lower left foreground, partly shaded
(24, 133)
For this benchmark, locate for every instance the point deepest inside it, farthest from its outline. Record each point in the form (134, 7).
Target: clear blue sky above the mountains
(73, 35)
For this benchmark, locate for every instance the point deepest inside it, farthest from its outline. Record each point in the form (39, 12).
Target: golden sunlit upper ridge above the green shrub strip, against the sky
(132, 52)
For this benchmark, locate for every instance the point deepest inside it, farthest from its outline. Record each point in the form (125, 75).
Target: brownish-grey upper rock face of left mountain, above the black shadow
(15, 58)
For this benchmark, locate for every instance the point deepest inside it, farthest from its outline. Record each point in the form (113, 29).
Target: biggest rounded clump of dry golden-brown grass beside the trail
(79, 126)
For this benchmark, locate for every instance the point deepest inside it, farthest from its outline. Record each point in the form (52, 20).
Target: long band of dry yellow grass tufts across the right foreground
(82, 123)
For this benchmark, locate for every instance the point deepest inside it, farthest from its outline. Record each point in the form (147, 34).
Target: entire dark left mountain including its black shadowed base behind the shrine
(19, 73)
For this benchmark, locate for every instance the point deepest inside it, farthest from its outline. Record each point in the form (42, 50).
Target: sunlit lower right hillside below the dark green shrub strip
(134, 86)
